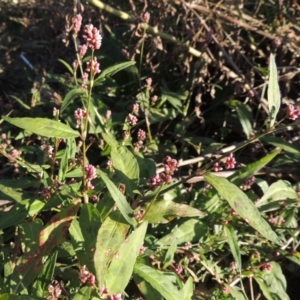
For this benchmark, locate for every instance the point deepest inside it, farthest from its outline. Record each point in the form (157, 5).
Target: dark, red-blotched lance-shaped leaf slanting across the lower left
(30, 264)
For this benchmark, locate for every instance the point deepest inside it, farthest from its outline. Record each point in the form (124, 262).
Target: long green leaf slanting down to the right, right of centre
(242, 205)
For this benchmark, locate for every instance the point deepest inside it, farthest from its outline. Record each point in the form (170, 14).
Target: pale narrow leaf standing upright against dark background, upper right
(273, 91)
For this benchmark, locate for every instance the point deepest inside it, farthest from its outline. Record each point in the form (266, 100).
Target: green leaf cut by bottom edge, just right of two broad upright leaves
(159, 281)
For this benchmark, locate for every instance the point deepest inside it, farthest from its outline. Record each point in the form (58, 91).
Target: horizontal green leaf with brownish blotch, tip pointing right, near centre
(162, 211)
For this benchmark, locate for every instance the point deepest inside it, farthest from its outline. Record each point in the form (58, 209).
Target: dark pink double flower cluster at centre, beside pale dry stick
(170, 166)
